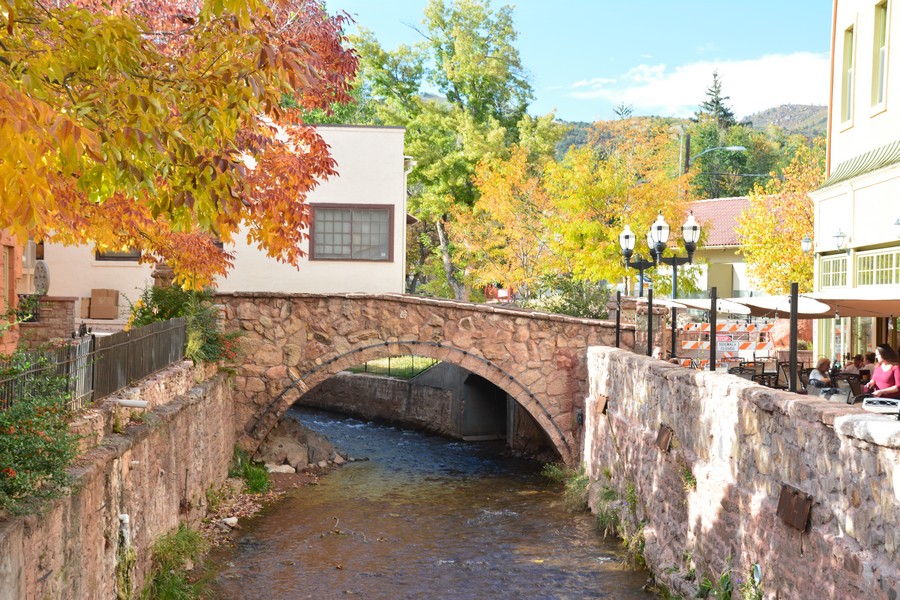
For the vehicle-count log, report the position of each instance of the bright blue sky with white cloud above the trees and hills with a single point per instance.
(587, 56)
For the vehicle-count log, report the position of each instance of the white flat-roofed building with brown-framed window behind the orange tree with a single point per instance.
(357, 235)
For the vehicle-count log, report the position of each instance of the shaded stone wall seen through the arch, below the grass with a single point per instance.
(384, 398)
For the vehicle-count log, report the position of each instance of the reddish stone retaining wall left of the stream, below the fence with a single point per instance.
(156, 472)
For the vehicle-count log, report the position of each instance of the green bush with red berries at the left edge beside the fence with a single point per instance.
(36, 446)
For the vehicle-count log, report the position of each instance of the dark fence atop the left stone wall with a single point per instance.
(94, 366)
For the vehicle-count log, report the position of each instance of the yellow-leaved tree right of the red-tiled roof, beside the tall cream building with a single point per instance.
(779, 217)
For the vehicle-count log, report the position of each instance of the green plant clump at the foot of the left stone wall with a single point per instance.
(171, 553)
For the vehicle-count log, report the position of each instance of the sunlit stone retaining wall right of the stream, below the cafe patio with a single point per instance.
(740, 442)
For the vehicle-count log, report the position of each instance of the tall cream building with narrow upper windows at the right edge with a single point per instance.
(857, 209)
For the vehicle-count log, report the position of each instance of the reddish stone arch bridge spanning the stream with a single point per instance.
(293, 342)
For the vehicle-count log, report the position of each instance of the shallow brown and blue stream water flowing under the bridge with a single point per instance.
(422, 517)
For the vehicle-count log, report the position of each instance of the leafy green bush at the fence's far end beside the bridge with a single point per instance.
(206, 342)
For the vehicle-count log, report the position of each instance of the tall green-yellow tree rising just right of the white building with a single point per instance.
(468, 55)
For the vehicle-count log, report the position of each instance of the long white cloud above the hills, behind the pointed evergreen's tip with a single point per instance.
(752, 85)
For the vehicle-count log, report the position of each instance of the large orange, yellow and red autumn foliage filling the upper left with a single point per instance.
(160, 125)
